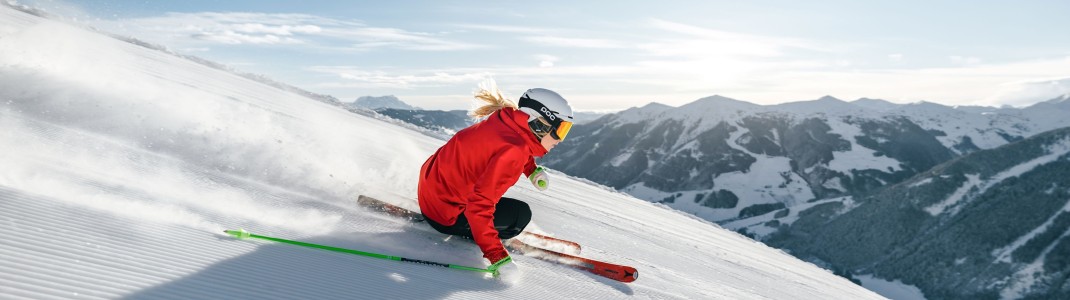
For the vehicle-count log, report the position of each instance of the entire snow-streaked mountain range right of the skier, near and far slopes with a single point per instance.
(965, 203)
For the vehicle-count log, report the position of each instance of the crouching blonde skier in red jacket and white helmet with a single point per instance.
(462, 185)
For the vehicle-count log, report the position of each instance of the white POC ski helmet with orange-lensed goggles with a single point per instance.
(552, 108)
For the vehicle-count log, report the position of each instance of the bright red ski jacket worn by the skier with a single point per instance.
(472, 172)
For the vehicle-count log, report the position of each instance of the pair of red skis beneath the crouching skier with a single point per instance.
(613, 272)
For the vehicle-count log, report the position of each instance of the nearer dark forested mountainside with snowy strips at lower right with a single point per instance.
(993, 224)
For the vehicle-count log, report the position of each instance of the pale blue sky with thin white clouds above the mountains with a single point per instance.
(615, 55)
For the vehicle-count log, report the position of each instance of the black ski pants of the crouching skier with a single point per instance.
(511, 218)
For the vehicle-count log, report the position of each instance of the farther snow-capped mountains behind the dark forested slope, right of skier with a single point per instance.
(724, 159)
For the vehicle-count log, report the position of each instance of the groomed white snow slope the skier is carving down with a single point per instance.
(120, 167)
